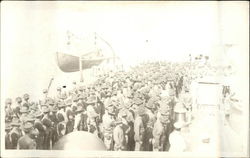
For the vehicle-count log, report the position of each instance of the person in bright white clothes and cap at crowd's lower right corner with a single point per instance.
(176, 140)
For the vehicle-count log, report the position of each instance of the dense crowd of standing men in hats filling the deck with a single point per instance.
(134, 110)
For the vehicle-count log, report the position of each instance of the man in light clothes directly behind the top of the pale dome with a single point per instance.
(81, 116)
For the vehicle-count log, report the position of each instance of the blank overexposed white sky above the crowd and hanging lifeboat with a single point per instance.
(32, 32)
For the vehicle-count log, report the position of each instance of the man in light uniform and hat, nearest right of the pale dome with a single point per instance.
(119, 136)
